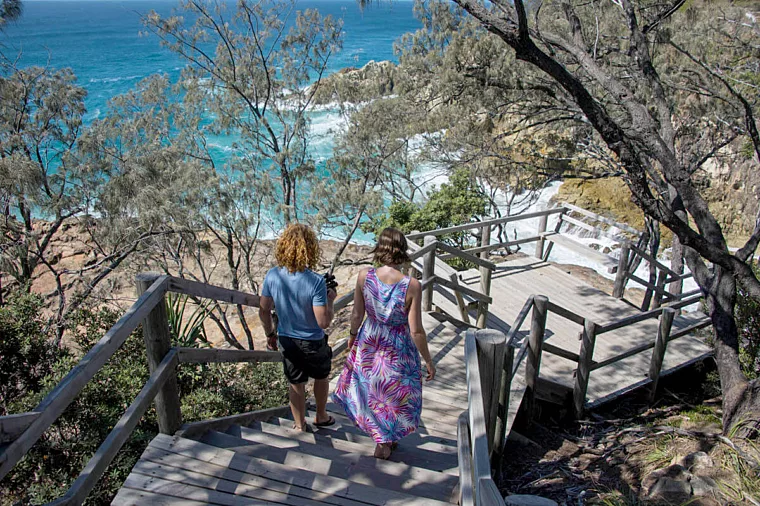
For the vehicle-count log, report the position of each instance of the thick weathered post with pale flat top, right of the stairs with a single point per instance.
(491, 345)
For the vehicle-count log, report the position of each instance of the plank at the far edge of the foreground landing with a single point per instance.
(301, 477)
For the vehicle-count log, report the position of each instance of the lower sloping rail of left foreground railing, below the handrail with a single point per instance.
(106, 452)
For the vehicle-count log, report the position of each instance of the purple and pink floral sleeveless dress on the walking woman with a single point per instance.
(380, 387)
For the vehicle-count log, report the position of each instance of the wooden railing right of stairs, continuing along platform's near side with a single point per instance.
(493, 361)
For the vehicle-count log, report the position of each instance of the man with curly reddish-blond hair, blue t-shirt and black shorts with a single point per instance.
(304, 309)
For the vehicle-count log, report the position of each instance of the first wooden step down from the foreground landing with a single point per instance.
(367, 470)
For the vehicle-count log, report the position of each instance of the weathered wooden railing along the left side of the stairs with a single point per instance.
(21, 431)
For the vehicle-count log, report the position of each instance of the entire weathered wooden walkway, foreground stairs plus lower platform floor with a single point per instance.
(270, 463)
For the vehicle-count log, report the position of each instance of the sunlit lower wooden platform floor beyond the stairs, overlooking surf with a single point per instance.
(521, 276)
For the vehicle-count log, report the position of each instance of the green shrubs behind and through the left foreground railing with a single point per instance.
(207, 390)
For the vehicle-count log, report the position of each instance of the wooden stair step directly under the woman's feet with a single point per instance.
(326, 447)
